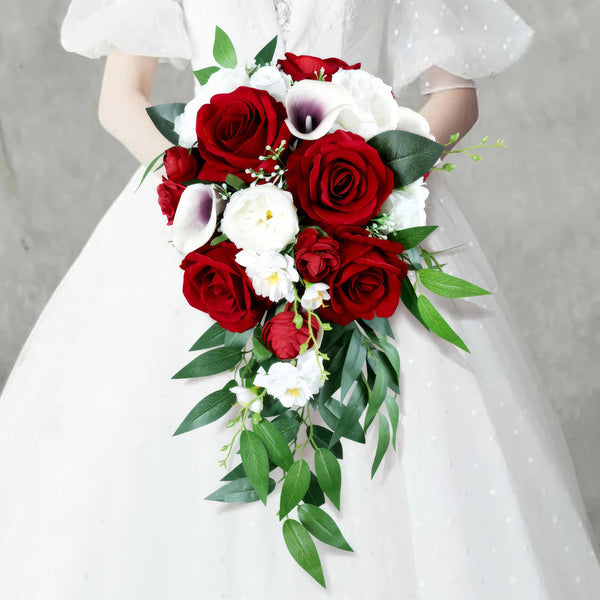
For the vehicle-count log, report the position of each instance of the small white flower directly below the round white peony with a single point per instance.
(272, 274)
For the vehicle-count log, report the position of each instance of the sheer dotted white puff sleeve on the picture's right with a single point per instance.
(467, 39)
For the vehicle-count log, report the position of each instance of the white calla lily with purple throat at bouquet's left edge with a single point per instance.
(196, 217)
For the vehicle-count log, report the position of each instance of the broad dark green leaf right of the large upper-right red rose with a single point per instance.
(407, 154)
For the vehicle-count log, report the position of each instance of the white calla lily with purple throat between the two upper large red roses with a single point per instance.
(314, 106)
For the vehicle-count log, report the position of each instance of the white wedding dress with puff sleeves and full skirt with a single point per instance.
(99, 501)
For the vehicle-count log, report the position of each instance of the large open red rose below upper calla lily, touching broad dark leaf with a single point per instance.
(339, 179)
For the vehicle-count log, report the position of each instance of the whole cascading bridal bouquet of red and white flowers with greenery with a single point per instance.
(296, 193)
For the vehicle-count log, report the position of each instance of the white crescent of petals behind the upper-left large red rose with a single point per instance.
(223, 81)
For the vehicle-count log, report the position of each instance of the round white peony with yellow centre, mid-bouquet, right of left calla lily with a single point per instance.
(261, 218)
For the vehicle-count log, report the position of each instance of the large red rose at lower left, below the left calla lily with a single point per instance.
(214, 283)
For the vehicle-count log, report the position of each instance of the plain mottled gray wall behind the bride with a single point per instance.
(535, 206)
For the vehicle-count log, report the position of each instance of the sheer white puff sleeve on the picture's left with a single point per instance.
(142, 27)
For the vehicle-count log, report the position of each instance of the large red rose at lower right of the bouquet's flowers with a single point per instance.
(369, 278)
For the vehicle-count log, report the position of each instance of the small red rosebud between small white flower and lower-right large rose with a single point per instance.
(316, 256)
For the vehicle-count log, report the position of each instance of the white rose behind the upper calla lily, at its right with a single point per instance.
(378, 111)
